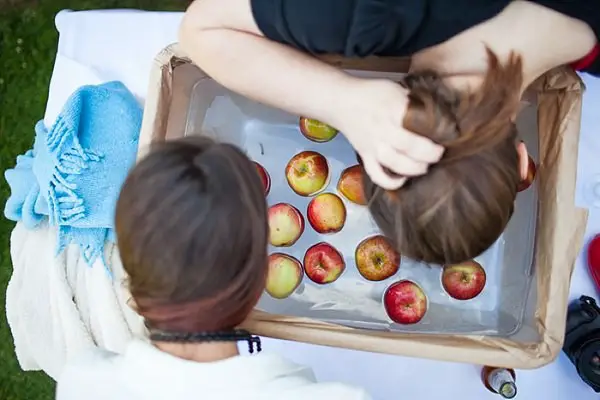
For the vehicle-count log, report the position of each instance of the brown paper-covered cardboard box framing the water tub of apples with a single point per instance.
(560, 224)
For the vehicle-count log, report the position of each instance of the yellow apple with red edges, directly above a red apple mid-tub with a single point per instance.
(326, 213)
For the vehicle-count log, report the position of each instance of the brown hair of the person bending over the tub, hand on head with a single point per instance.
(462, 205)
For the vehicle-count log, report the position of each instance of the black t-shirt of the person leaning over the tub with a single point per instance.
(359, 28)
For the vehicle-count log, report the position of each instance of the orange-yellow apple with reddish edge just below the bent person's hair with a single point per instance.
(376, 259)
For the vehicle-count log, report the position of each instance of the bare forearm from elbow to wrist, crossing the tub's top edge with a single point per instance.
(268, 72)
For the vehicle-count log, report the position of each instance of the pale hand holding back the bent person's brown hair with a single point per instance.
(370, 116)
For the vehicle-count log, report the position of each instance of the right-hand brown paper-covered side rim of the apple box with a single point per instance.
(561, 225)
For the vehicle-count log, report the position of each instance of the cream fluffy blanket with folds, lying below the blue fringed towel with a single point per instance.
(59, 306)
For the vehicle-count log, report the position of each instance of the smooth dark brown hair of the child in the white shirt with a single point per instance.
(192, 234)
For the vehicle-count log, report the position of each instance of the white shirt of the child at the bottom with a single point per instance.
(144, 372)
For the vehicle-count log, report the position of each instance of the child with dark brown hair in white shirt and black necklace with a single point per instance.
(192, 235)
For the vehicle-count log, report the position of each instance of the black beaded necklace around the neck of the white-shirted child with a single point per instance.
(236, 335)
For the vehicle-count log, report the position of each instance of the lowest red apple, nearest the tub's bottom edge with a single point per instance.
(405, 302)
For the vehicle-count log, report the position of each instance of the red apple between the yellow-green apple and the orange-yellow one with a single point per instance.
(323, 263)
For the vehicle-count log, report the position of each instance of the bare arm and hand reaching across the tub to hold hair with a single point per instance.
(222, 38)
